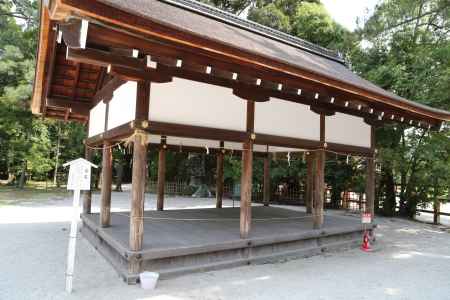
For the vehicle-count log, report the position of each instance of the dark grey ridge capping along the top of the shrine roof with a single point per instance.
(231, 19)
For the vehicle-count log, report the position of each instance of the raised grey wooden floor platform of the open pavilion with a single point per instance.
(189, 240)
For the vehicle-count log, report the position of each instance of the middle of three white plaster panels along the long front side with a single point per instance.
(288, 119)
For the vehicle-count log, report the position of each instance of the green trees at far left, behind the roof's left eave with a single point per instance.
(28, 144)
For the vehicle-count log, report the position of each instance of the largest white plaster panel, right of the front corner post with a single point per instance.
(193, 103)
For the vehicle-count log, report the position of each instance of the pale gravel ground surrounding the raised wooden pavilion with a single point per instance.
(410, 261)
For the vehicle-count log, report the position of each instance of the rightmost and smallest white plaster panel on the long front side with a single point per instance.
(347, 129)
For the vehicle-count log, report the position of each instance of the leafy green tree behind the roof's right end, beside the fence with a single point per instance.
(409, 54)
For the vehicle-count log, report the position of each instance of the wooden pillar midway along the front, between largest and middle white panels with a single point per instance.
(247, 173)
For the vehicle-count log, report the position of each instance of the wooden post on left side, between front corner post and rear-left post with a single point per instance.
(105, 202)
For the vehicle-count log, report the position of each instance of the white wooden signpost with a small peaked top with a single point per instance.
(79, 180)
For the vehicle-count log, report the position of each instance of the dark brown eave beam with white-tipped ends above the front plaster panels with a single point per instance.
(244, 85)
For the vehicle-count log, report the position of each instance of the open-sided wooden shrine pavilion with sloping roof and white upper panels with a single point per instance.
(179, 75)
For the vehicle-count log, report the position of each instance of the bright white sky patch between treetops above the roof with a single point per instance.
(345, 12)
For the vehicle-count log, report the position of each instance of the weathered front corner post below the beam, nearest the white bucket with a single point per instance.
(138, 190)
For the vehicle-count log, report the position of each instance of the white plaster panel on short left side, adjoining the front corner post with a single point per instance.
(122, 107)
